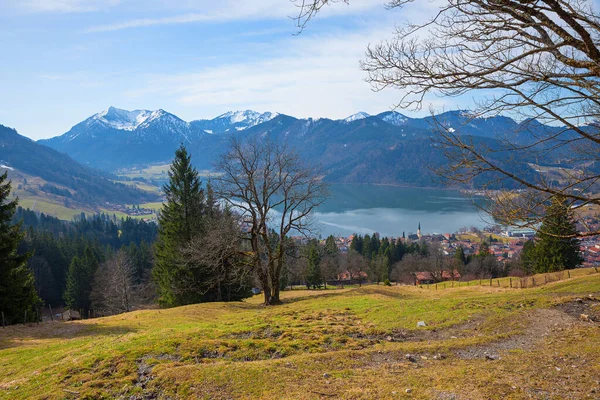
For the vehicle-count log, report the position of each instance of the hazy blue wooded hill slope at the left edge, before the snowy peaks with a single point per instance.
(57, 182)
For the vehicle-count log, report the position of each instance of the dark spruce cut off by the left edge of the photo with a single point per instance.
(18, 297)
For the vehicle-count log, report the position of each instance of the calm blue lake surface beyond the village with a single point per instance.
(391, 210)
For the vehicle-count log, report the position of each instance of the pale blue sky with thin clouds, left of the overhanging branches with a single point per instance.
(65, 60)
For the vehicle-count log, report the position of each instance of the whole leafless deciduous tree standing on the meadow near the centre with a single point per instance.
(274, 191)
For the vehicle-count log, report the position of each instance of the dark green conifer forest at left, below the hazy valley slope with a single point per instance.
(90, 241)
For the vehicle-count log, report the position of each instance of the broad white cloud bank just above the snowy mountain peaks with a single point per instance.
(315, 76)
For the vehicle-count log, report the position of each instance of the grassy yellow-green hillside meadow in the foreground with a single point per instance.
(359, 343)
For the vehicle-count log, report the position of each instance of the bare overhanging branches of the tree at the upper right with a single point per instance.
(531, 60)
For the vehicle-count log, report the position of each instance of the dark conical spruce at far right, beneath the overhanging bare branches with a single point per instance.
(556, 247)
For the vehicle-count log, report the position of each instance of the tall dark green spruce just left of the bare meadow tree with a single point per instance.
(180, 219)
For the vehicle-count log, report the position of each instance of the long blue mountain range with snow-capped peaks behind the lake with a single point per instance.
(387, 148)
